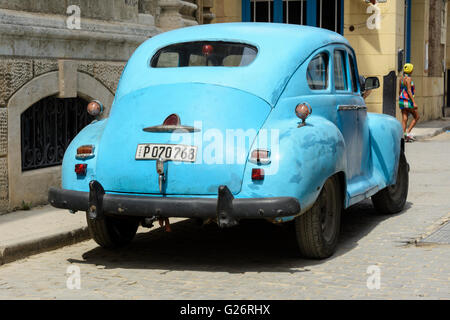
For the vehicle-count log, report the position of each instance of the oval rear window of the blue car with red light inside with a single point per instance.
(204, 54)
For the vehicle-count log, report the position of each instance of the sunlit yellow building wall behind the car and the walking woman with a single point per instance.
(377, 49)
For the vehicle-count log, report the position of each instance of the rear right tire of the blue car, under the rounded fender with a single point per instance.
(317, 230)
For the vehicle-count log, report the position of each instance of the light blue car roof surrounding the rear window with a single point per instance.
(281, 49)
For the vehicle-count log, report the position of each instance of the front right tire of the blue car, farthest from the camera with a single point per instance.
(392, 199)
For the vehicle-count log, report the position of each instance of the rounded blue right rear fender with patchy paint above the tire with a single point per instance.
(301, 162)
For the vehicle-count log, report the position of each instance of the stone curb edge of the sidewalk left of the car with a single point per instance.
(24, 249)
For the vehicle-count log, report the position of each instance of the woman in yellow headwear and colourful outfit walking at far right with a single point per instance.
(406, 101)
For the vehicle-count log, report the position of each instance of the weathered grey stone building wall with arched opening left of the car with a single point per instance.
(41, 56)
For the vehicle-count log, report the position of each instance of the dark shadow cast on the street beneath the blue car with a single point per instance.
(253, 246)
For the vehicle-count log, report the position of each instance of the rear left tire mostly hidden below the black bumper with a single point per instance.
(111, 232)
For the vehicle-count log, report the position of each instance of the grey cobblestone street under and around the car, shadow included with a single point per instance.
(257, 260)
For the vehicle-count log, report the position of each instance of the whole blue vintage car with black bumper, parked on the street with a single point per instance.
(236, 121)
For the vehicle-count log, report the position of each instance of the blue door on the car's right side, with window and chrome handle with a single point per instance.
(351, 110)
